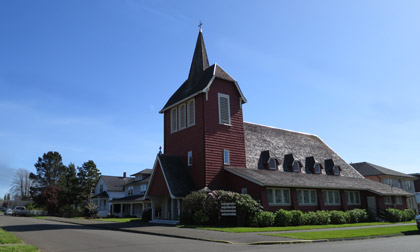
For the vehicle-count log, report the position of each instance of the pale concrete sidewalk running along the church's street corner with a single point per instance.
(200, 234)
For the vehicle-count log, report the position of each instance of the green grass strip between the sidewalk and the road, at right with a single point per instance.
(351, 233)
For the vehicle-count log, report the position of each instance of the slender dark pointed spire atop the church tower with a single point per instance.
(200, 62)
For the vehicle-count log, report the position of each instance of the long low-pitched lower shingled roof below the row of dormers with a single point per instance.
(269, 178)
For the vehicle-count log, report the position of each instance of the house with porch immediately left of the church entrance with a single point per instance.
(133, 203)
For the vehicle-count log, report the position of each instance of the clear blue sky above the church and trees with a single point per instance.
(87, 78)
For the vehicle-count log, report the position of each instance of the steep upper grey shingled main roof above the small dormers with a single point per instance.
(282, 142)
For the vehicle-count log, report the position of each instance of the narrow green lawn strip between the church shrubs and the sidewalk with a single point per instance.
(274, 229)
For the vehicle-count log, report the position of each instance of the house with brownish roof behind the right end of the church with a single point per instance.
(391, 178)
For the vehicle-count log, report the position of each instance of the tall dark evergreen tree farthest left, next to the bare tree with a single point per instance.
(49, 181)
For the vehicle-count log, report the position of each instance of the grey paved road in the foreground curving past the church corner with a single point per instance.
(55, 236)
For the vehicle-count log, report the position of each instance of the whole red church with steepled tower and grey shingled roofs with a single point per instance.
(208, 145)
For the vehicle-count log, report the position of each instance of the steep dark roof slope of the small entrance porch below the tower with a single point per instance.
(177, 175)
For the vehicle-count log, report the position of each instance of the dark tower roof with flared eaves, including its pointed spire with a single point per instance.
(200, 77)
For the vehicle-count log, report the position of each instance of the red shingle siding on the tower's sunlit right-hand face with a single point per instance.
(220, 137)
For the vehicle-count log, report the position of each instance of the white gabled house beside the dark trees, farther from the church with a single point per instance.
(107, 189)
